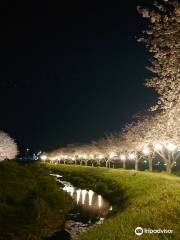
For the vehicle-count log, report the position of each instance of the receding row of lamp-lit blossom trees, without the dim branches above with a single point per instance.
(147, 138)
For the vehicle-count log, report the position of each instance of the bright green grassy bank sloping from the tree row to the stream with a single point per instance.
(149, 200)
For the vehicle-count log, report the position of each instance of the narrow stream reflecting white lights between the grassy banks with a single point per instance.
(90, 208)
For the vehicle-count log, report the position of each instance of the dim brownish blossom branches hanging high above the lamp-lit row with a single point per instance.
(162, 39)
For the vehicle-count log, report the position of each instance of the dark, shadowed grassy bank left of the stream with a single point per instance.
(31, 203)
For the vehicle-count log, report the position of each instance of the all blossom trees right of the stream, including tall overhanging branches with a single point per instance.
(156, 133)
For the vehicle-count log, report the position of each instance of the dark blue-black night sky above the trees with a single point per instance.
(70, 73)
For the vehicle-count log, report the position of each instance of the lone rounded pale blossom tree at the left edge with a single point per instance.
(8, 147)
